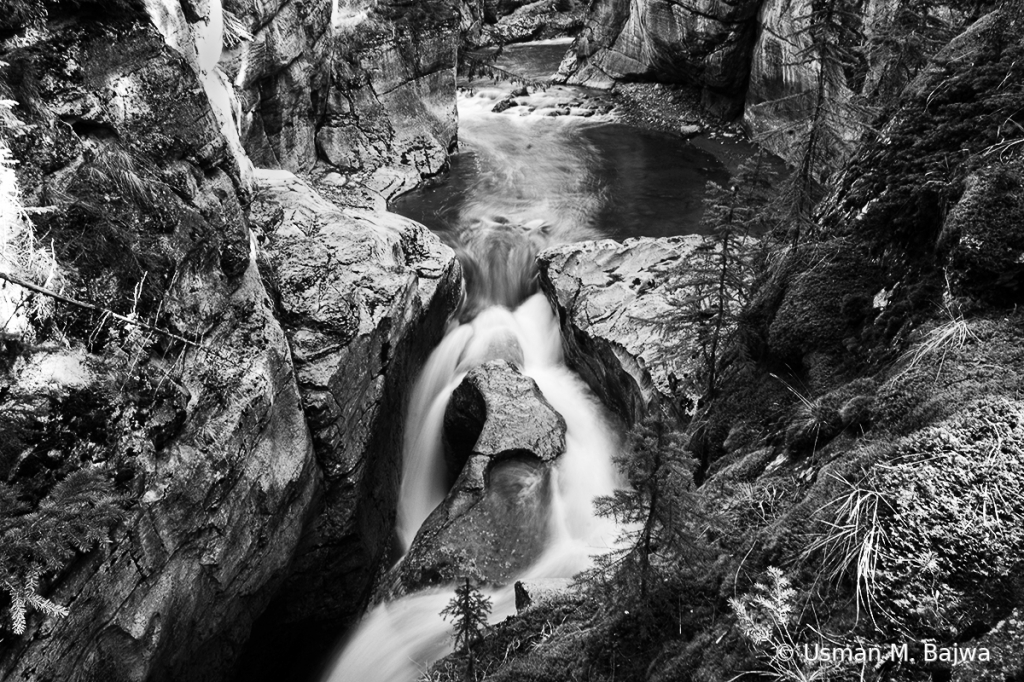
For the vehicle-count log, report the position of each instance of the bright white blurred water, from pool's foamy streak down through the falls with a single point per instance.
(534, 191)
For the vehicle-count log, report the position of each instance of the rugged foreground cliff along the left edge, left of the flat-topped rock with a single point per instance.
(115, 133)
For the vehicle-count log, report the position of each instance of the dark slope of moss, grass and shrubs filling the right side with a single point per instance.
(864, 448)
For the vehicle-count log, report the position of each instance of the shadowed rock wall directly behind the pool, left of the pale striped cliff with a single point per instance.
(705, 42)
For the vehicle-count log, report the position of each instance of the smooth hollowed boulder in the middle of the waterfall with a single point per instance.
(504, 438)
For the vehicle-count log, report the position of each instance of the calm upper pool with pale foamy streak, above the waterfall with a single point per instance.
(583, 178)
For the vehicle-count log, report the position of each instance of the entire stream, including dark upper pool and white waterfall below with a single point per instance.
(524, 181)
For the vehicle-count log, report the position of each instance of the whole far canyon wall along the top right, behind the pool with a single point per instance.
(756, 59)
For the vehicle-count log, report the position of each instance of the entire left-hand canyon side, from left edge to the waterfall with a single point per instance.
(269, 456)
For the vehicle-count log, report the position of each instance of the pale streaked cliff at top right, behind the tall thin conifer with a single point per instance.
(883, 44)
